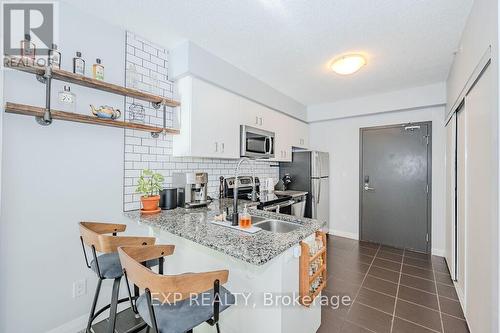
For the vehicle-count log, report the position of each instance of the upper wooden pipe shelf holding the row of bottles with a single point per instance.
(27, 65)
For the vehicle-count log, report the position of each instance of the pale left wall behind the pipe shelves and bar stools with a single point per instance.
(54, 177)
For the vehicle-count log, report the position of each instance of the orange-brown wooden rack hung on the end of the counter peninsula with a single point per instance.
(305, 280)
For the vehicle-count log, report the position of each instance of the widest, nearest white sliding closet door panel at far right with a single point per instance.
(480, 210)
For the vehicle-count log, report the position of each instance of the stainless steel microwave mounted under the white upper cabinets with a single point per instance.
(256, 143)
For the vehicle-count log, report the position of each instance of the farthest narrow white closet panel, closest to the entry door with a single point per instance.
(451, 156)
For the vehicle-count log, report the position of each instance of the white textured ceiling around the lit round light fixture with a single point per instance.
(288, 43)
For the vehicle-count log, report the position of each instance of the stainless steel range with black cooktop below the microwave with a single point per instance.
(266, 201)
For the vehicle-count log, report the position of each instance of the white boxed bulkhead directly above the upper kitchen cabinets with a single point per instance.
(188, 58)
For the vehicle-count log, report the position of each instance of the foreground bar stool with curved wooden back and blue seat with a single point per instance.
(174, 303)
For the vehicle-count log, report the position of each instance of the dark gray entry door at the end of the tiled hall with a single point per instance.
(395, 185)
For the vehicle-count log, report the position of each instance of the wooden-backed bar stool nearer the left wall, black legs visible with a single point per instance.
(102, 238)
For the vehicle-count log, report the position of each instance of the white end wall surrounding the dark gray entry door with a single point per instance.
(341, 139)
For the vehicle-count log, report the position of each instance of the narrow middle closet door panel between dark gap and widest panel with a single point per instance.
(461, 199)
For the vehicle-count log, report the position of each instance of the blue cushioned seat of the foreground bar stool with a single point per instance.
(186, 314)
